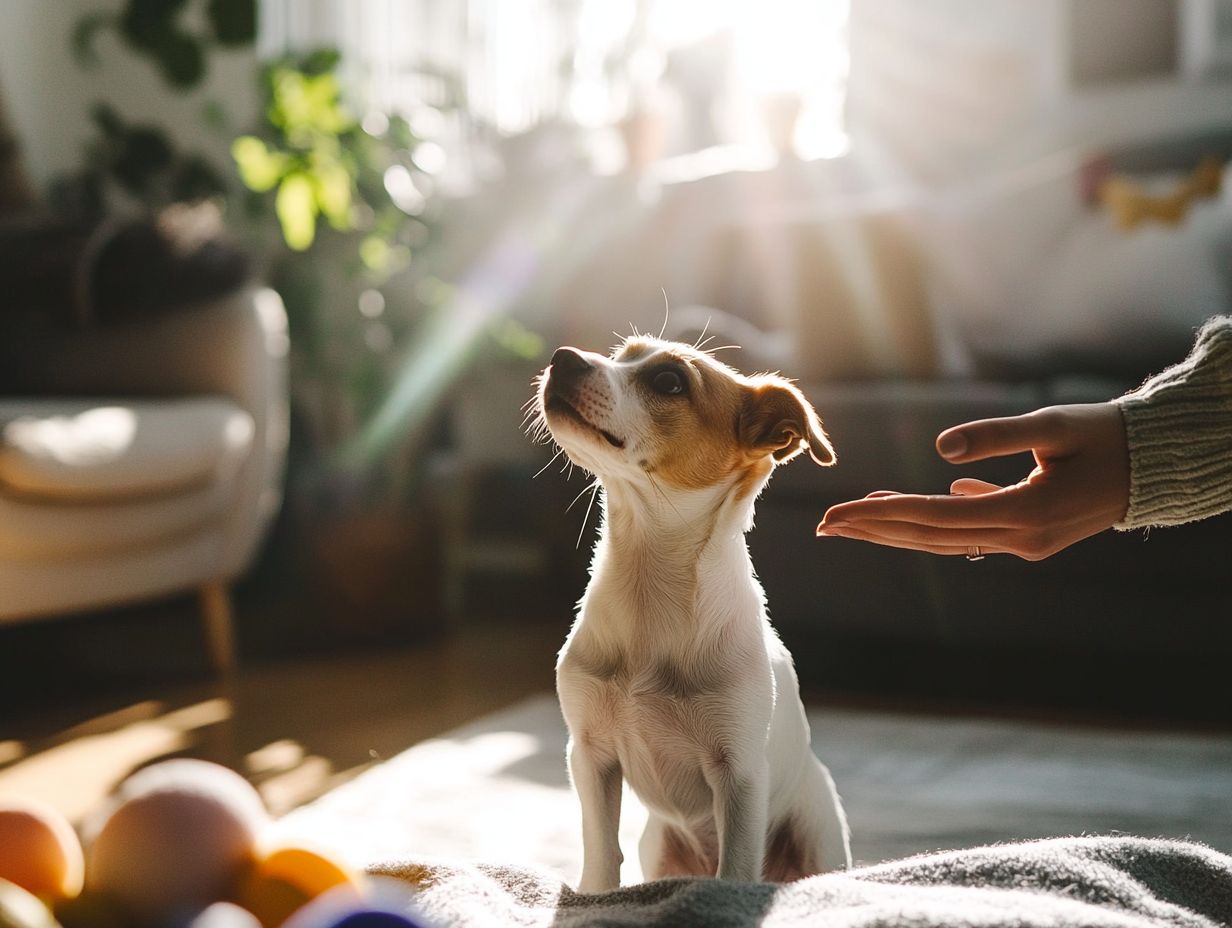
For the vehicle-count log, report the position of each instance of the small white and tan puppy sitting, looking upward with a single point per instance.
(672, 677)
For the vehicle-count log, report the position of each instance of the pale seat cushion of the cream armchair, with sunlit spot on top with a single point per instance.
(91, 450)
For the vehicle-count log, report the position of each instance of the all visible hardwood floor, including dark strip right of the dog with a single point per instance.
(295, 728)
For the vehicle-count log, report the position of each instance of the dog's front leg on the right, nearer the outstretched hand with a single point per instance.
(741, 816)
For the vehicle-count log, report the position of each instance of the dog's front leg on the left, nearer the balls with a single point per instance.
(598, 783)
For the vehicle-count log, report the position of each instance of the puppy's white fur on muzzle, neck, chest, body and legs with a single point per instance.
(672, 676)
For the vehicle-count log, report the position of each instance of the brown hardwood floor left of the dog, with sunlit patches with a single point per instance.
(294, 728)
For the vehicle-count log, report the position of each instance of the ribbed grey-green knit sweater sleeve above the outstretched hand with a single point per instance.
(1180, 432)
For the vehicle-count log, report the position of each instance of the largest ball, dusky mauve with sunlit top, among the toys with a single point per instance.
(177, 837)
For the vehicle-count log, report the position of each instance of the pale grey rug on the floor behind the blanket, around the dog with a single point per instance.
(496, 791)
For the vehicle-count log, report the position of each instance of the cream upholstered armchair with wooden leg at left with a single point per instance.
(142, 460)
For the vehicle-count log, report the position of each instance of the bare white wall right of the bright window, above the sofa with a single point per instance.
(959, 88)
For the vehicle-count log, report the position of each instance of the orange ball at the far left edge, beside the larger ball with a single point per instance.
(39, 850)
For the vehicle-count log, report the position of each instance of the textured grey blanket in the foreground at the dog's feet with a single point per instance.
(1064, 882)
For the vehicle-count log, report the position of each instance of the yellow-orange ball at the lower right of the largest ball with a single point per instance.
(286, 878)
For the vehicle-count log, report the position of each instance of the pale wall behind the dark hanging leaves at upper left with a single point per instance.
(49, 96)
